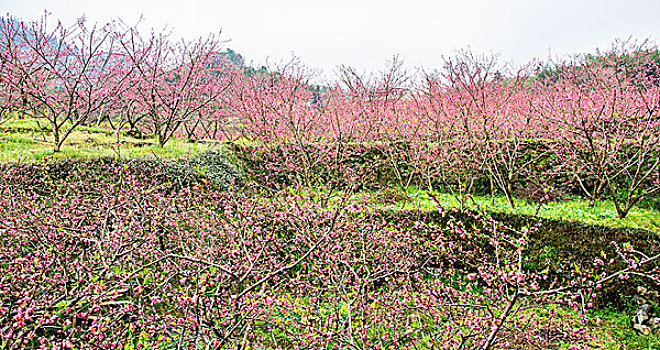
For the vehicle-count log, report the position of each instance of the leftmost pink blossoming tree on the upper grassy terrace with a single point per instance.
(63, 75)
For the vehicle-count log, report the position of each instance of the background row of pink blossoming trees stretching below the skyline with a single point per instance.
(591, 121)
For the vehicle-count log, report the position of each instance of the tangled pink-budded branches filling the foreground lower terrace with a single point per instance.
(131, 260)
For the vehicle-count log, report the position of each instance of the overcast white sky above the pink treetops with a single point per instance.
(367, 33)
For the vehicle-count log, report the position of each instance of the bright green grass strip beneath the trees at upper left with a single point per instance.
(23, 140)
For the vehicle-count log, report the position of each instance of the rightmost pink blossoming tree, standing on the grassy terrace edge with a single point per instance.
(605, 112)
